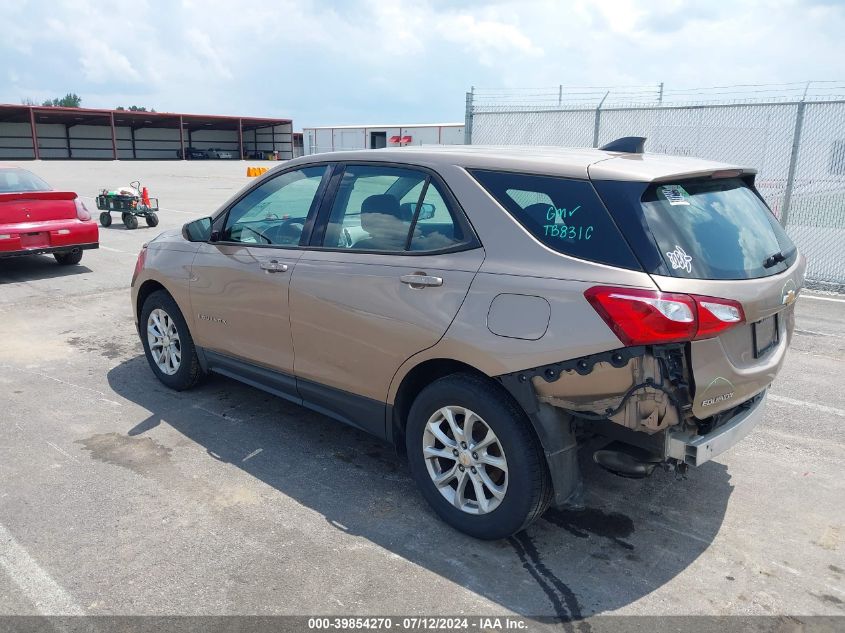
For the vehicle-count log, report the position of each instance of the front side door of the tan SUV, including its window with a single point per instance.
(239, 286)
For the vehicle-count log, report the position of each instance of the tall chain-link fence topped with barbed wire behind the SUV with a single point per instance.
(794, 134)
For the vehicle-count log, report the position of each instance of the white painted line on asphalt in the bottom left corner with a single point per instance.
(46, 595)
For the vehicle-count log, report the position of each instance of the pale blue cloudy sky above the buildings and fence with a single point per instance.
(335, 63)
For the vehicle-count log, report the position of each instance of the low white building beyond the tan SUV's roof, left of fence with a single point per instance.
(346, 137)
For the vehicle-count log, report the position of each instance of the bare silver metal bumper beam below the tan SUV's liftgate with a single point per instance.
(693, 449)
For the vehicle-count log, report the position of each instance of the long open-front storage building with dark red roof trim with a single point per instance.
(40, 132)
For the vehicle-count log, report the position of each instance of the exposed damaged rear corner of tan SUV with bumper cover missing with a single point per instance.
(638, 400)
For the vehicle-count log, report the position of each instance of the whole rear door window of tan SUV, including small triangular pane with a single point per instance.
(390, 209)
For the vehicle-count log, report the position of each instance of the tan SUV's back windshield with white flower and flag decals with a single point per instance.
(716, 229)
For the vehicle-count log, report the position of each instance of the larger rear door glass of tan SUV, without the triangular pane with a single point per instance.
(372, 210)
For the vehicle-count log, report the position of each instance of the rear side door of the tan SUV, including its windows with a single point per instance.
(390, 265)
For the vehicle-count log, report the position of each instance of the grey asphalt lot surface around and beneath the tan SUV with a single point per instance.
(118, 496)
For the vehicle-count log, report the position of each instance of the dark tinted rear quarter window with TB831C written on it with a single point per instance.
(565, 215)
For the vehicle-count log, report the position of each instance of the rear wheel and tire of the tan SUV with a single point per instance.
(524, 485)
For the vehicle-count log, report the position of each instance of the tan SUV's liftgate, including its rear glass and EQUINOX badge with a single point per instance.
(715, 237)
